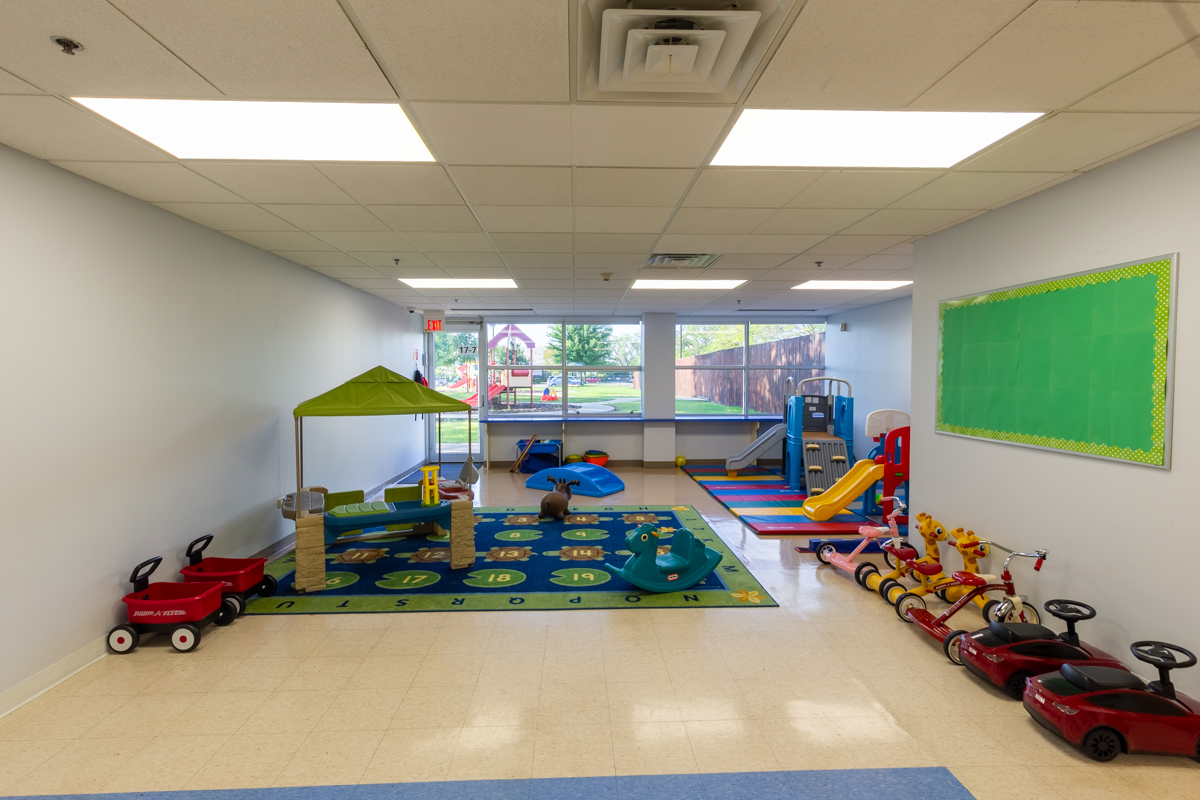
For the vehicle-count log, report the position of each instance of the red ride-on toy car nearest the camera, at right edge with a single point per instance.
(1108, 712)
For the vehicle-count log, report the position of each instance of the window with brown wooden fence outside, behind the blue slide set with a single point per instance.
(743, 369)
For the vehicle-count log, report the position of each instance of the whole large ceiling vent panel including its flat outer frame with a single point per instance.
(653, 51)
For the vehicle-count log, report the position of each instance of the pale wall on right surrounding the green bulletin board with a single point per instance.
(1121, 538)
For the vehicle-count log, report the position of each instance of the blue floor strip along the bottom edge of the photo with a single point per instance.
(908, 784)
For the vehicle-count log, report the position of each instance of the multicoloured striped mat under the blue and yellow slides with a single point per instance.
(763, 501)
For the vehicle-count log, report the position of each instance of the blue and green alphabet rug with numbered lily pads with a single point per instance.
(521, 564)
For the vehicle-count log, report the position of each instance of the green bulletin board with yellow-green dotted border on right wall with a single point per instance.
(1078, 364)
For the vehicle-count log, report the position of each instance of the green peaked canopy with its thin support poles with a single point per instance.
(376, 393)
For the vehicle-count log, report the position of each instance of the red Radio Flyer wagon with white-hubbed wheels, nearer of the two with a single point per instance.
(178, 609)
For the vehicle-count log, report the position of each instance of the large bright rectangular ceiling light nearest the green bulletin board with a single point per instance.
(767, 137)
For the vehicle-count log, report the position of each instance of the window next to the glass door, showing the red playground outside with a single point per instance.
(557, 370)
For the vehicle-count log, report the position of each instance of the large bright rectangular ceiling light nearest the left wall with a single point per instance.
(267, 131)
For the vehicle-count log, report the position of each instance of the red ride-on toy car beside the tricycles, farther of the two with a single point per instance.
(1007, 654)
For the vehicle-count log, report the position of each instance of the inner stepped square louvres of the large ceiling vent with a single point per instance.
(673, 50)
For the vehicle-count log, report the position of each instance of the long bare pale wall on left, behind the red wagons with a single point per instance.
(151, 368)
